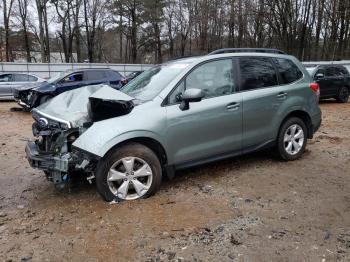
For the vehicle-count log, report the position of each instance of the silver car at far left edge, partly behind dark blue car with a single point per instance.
(9, 81)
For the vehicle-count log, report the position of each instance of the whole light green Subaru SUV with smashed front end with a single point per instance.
(176, 115)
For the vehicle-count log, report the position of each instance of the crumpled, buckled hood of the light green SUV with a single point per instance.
(73, 106)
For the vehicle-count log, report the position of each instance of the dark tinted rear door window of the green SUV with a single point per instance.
(257, 72)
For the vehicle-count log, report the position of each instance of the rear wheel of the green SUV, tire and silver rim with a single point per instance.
(291, 147)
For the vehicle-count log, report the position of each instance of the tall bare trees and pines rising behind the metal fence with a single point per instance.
(153, 31)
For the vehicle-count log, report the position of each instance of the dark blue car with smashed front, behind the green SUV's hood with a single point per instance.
(30, 96)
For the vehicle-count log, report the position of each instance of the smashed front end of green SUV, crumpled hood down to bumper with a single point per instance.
(58, 123)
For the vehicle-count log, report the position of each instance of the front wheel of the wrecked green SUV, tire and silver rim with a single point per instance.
(127, 164)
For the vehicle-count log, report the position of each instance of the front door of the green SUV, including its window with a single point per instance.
(212, 127)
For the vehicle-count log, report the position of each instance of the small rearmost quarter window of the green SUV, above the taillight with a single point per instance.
(288, 71)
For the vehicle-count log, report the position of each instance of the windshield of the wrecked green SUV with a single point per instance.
(148, 84)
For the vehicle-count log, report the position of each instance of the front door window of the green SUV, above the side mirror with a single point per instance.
(215, 78)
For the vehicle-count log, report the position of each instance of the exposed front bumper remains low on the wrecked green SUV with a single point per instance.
(46, 162)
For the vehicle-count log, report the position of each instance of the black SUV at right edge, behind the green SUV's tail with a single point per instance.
(334, 82)
